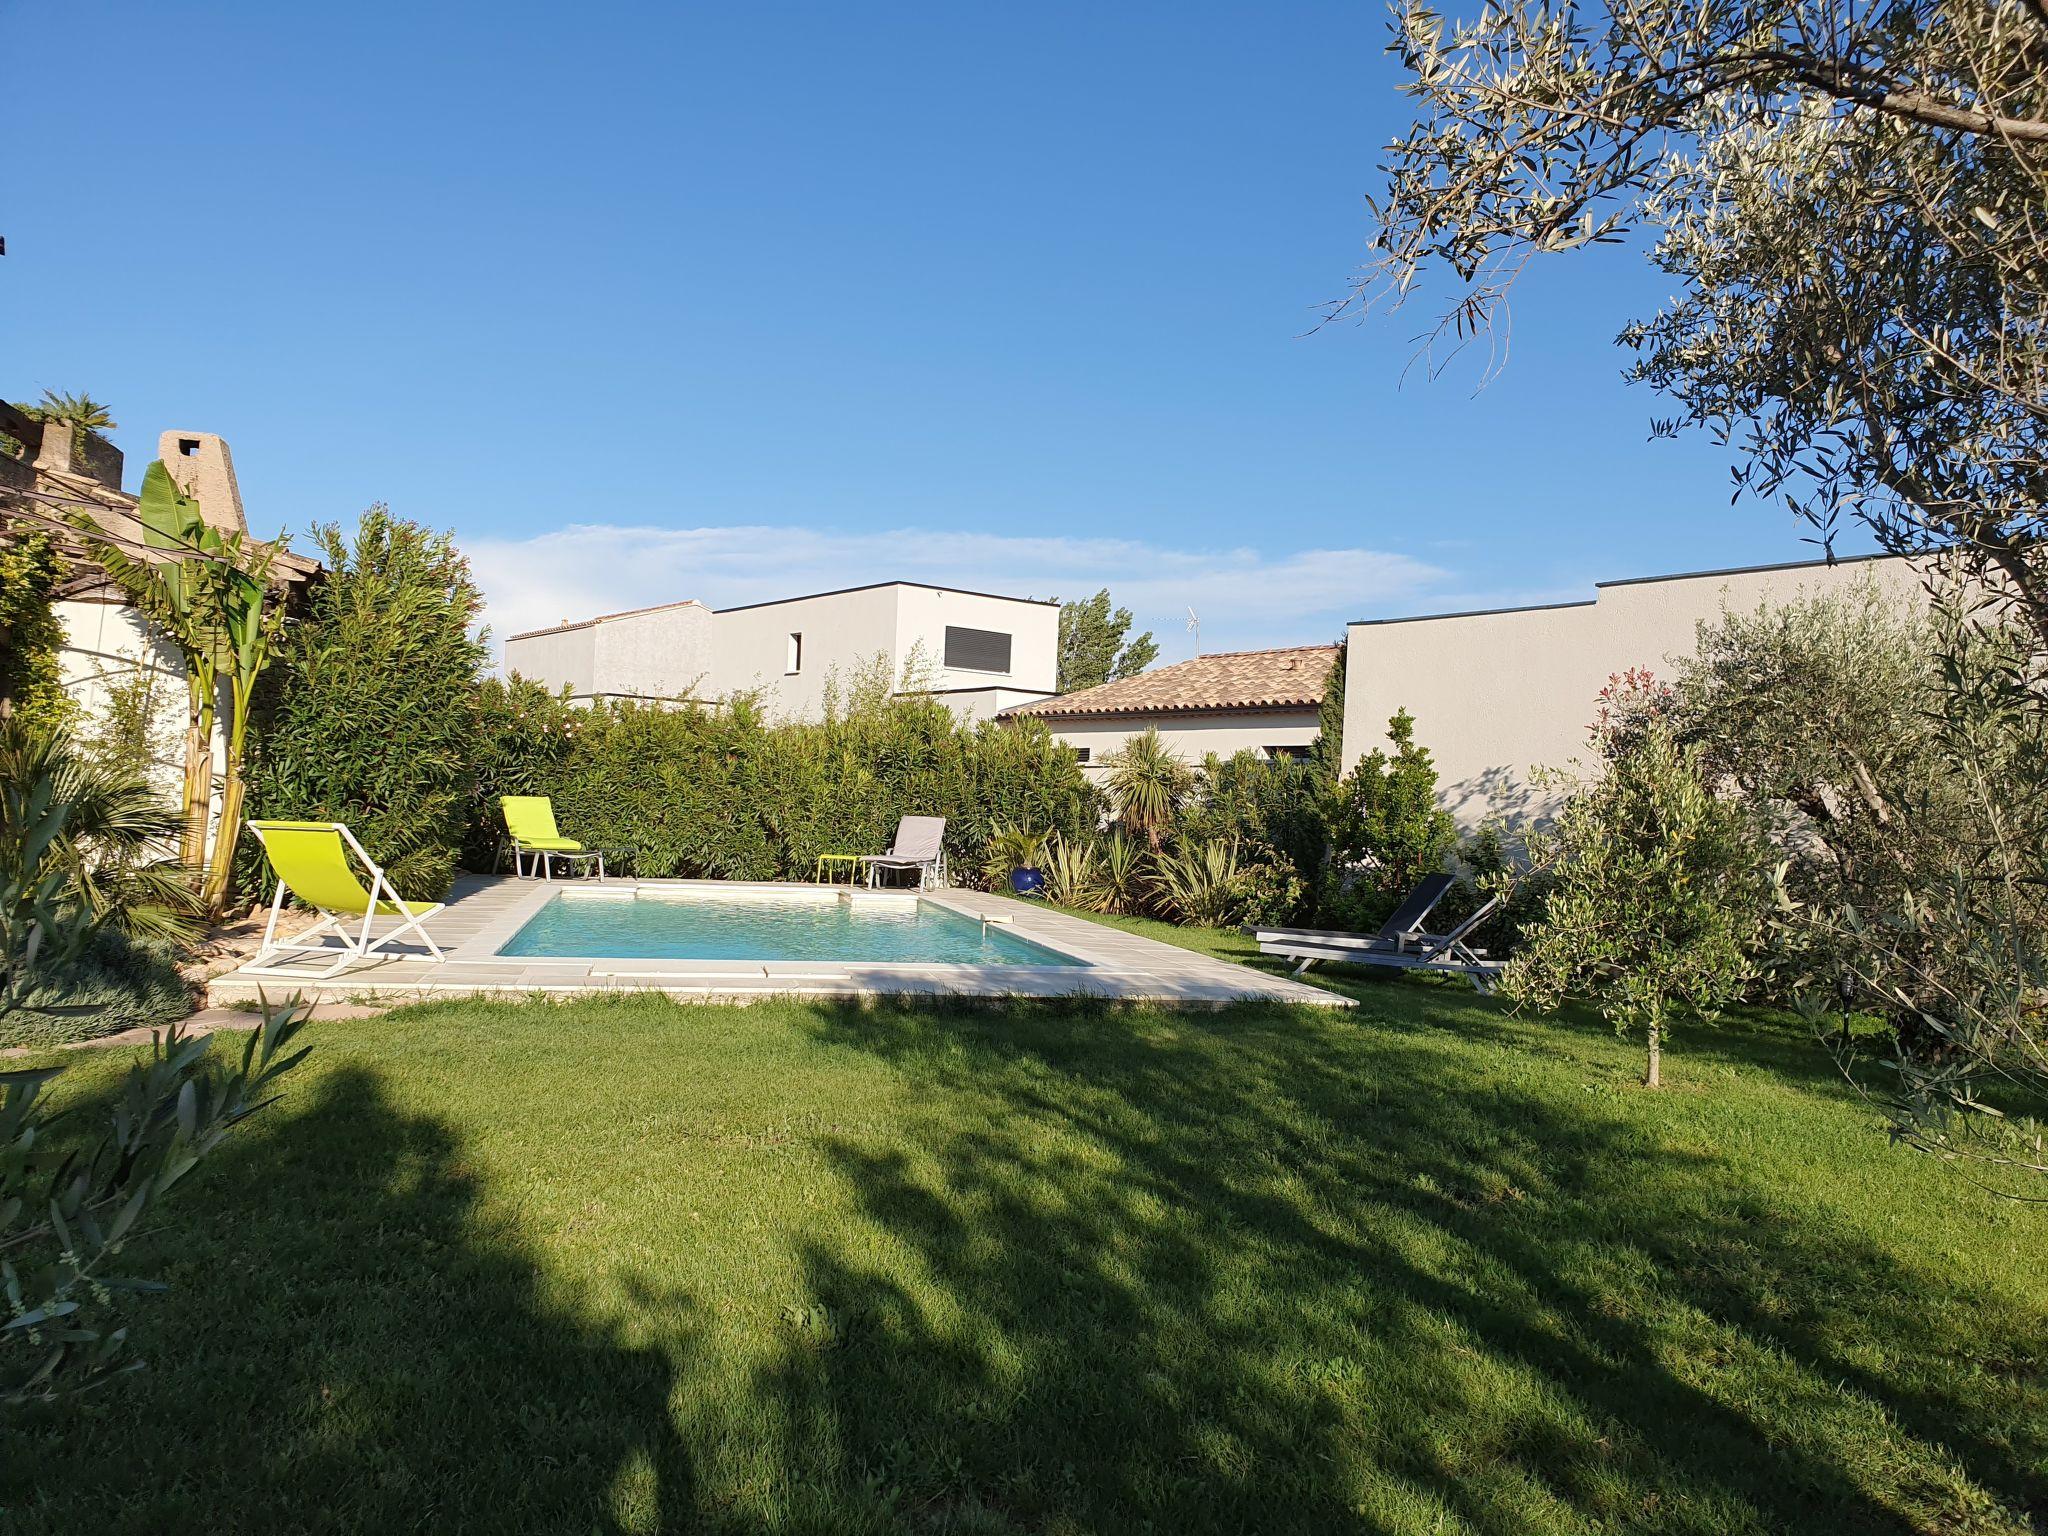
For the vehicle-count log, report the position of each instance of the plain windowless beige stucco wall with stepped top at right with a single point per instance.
(1496, 695)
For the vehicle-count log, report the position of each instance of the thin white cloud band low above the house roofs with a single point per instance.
(1244, 597)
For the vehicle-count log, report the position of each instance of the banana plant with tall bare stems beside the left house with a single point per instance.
(210, 591)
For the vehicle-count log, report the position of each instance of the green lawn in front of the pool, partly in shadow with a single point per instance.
(1060, 1269)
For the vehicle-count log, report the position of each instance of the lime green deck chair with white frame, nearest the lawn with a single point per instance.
(310, 859)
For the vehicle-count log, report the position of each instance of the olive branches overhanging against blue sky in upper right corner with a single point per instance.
(1852, 204)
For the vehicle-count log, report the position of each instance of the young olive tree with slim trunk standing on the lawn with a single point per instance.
(1658, 898)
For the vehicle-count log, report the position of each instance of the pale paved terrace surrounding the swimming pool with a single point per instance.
(486, 912)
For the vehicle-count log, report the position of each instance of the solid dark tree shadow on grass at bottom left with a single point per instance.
(353, 1342)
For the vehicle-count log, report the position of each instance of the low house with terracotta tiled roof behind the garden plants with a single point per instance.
(1224, 703)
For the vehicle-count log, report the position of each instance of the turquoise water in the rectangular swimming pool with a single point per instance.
(767, 929)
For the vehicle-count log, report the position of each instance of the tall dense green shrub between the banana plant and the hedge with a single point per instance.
(374, 718)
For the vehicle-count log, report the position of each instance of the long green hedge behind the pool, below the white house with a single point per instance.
(722, 794)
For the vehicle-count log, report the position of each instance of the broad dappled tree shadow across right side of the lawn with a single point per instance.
(1236, 1275)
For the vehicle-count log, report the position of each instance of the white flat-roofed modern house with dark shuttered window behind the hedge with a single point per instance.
(974, 650)
